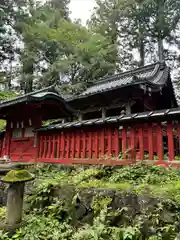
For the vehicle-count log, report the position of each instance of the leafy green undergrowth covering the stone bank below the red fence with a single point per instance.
(128, 203)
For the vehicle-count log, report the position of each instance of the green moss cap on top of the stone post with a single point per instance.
(17, 176)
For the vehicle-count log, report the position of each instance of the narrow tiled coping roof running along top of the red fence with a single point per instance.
(115, 119)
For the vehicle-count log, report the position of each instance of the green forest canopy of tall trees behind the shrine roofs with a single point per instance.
(41, 45)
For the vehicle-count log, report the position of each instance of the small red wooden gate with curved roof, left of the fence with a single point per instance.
(26, 113)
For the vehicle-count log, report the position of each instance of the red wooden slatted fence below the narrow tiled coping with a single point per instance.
(111, 144)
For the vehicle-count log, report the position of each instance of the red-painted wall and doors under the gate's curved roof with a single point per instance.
(21, 148)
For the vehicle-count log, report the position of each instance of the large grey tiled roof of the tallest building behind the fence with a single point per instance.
(154, 75)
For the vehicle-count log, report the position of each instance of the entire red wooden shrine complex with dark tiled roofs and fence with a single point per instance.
(121, 119)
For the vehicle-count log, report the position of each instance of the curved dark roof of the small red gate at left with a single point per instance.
(40, 95)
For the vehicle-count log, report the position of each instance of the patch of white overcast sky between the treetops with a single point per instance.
(81, 9)
